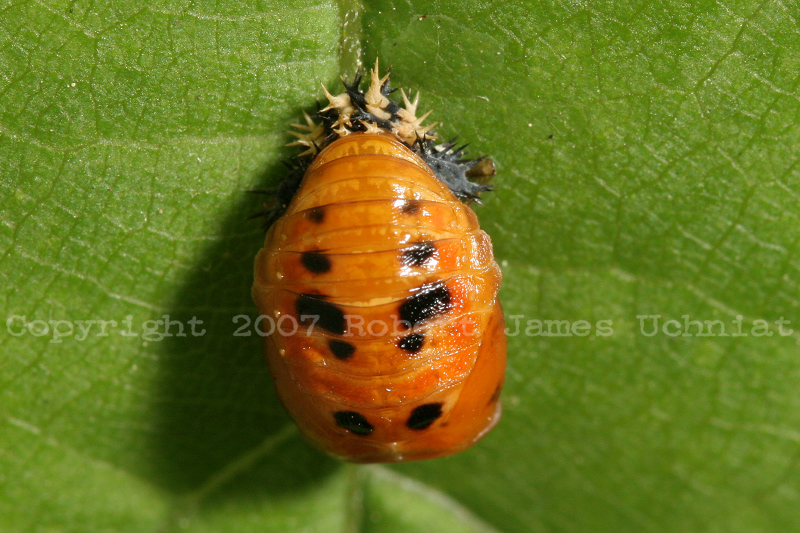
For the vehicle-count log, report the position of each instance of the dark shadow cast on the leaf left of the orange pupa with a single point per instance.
(215, 402)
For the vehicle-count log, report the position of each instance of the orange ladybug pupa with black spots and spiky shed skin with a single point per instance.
(392, 345)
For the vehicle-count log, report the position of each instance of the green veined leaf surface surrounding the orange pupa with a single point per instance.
(647, 167)
